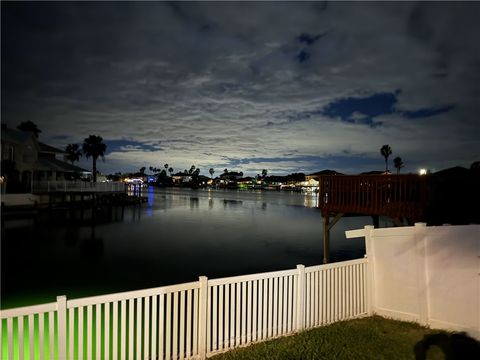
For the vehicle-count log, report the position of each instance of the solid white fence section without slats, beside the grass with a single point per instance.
(426, 274)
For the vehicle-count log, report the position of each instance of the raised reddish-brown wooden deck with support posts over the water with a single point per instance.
(447, 197)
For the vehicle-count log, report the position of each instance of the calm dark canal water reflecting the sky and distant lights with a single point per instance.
(177, 236)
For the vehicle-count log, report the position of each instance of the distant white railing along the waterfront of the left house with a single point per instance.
(78, 186)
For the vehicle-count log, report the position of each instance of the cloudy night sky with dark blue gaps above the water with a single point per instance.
(287, 87)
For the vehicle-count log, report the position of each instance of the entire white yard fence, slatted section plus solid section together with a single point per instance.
(413, 273)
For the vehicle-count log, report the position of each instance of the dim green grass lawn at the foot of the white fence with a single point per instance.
(368, 338)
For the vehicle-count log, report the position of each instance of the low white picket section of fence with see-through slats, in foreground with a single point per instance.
(187, 321)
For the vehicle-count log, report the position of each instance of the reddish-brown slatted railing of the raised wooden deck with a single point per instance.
(388, 195)
